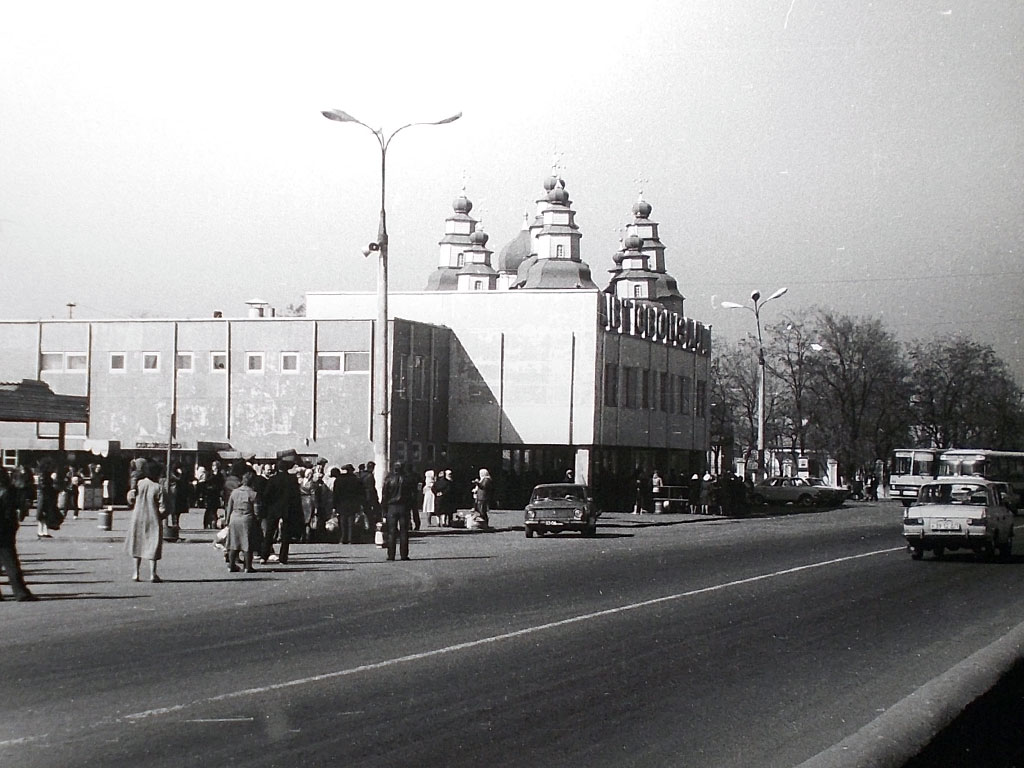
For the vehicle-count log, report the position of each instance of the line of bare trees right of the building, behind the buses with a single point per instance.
(845, 388)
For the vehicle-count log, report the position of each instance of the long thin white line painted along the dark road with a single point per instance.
(496, 638)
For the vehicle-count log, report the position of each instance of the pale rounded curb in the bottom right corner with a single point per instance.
(905, 730)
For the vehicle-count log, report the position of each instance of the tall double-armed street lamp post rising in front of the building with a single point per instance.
(382, 387)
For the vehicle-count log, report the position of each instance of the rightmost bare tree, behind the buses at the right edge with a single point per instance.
(965, 397)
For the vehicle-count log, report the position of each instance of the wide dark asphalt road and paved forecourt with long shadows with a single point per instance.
(666, 641)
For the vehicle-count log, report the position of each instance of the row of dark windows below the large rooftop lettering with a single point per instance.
(653, 391)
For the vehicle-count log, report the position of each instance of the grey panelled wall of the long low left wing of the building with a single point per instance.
(263, 411)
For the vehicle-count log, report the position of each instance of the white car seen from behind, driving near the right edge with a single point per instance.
(959, 514)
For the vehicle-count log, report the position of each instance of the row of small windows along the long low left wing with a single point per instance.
(255, 363)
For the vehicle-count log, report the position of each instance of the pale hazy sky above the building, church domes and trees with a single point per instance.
(170, 160)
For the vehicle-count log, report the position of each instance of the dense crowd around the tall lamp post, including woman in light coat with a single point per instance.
(259, 508)
